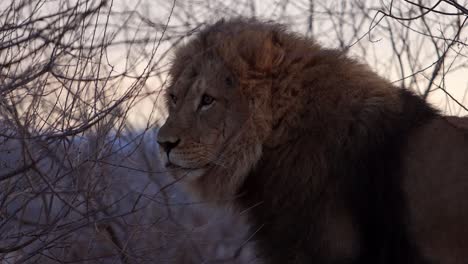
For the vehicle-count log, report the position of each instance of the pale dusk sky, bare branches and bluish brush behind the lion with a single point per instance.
(80, 105)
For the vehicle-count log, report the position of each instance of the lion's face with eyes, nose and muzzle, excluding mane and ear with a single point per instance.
(206, 113)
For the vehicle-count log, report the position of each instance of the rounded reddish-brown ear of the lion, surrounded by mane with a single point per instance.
(263, 51)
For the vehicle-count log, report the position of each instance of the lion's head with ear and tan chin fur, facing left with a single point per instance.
(220, 111)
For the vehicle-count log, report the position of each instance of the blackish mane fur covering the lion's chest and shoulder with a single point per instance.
(364, 173)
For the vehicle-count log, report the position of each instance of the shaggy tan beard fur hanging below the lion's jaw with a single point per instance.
(220, 183)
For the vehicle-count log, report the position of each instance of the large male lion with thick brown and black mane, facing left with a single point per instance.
(330, 161)
